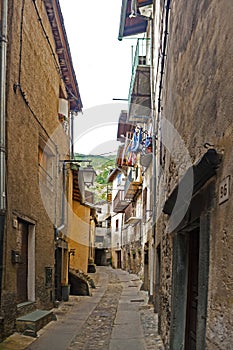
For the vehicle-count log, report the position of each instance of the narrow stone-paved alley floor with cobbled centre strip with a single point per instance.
(116, 317)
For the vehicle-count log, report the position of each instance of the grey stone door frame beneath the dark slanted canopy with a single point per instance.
(180, 279)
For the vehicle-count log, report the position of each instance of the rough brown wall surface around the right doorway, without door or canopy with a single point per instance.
(197, 100)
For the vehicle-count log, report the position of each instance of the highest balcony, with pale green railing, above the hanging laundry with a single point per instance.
(140, 91)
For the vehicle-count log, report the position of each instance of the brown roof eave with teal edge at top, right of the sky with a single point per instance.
(134, 25)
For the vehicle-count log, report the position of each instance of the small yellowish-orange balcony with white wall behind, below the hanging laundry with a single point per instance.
(133, 183)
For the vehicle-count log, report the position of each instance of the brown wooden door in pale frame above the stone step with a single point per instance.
(22, 266)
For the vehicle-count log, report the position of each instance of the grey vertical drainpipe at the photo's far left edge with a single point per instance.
(3, 53)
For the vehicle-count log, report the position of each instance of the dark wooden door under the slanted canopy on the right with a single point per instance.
(192, 291)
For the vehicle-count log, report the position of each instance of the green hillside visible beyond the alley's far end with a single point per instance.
(103, 166)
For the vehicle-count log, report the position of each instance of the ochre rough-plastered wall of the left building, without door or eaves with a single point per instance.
(31, 66)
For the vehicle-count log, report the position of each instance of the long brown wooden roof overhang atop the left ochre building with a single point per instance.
(63, 52)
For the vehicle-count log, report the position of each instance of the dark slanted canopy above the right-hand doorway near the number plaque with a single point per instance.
(202, 171)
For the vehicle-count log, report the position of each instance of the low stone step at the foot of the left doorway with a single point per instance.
(30, 323)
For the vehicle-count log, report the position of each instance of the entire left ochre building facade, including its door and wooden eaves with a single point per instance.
(38, 77)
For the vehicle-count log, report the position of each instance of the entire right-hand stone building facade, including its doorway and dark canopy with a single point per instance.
(193, 231)
